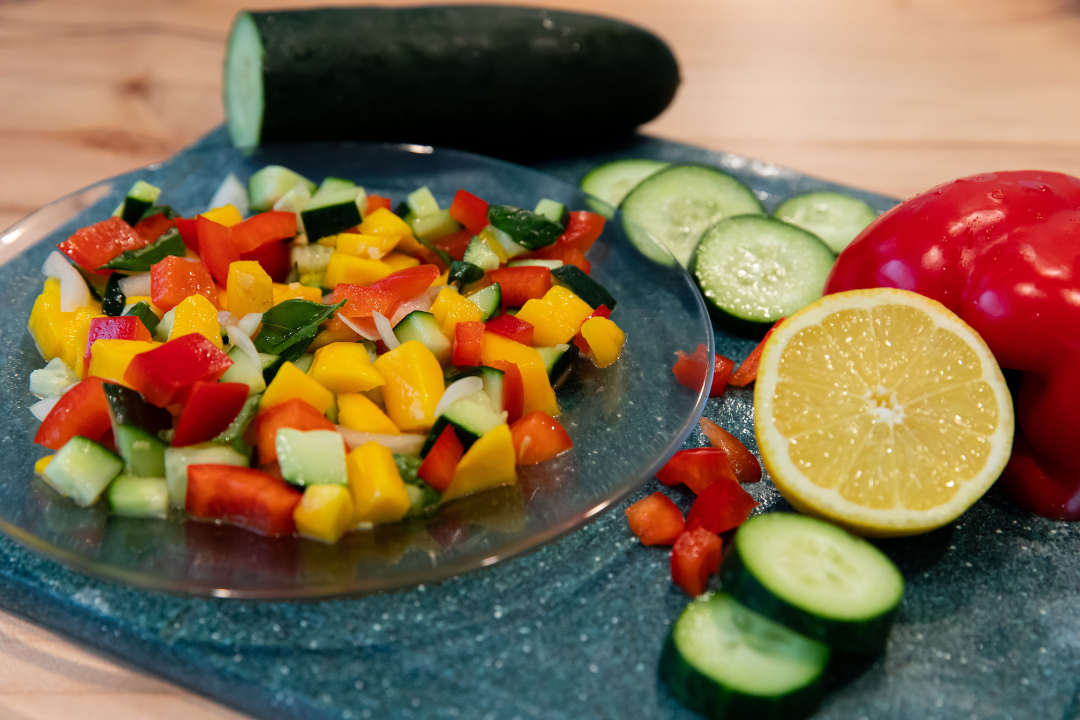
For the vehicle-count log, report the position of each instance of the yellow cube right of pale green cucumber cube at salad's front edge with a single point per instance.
(379, 492)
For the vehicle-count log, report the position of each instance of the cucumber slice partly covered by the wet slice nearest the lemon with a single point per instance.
(678, 205)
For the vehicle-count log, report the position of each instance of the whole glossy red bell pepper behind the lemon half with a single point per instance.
(1002, 251)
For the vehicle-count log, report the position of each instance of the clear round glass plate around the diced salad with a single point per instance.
(626, 420)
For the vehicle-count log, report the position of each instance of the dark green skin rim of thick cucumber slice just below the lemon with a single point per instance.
(855, 639)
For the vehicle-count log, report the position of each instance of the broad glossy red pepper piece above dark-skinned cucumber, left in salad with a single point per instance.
(164, 375)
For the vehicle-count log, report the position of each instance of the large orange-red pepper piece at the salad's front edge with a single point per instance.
(244, 497)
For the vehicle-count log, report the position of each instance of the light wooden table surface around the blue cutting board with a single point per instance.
(894, 97)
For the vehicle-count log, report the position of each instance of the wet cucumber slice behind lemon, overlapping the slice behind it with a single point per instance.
(754, 270)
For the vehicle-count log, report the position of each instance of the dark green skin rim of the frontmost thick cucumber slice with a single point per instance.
(706, 697)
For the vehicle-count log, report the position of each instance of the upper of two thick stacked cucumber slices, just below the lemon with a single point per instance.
(816, 579)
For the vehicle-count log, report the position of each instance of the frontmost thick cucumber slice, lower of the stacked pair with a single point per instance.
(725, 661)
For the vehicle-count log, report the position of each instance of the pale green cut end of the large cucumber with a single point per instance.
(245, 102)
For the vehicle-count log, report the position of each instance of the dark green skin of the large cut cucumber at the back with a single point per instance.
(542, 76)
